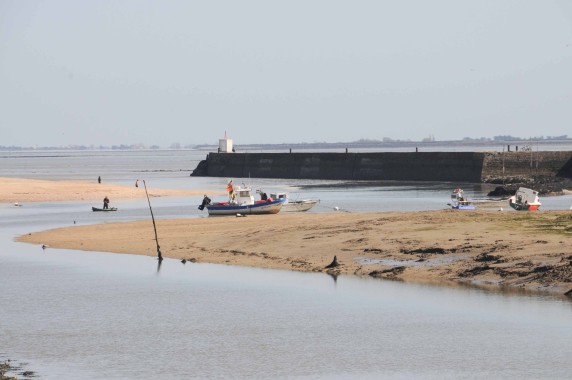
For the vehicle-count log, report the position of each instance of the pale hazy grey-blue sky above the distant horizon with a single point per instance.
(164, 71)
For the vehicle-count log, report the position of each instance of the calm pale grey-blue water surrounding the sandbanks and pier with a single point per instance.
(88, 315)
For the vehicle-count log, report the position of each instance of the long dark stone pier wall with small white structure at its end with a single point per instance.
(409, 166)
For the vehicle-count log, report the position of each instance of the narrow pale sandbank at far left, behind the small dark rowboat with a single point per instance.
(19, 190)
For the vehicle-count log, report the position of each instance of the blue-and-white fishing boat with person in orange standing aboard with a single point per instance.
(241, 202)
